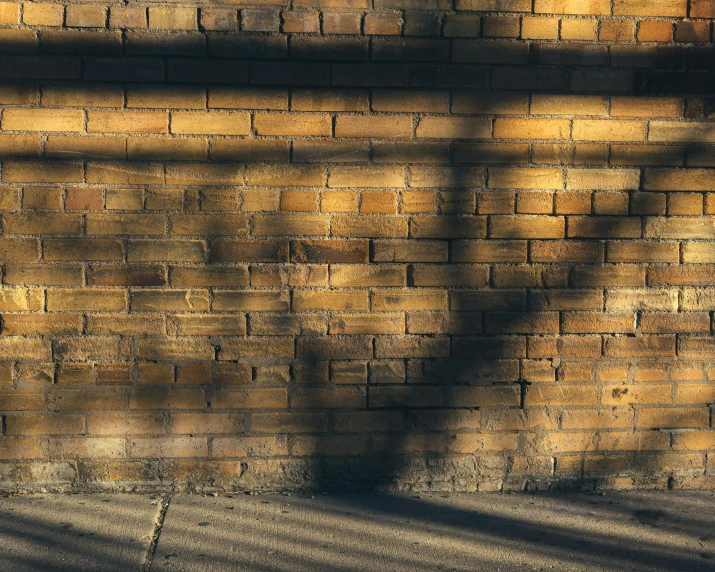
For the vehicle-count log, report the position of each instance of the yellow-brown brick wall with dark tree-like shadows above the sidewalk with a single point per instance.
(447, 244)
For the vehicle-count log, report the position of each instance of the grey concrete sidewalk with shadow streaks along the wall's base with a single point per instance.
(613, 532)
